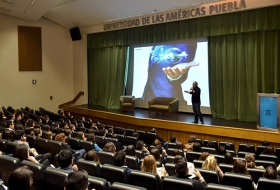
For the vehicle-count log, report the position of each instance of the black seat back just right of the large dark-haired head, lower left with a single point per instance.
(93, 168)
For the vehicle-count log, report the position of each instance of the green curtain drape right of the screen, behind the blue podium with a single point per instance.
(242, 65)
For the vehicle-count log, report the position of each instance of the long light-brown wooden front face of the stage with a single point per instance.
(182, 130)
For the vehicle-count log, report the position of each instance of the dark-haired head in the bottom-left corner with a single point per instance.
(21, 179)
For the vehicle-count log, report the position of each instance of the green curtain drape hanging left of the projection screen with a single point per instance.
(106, 71)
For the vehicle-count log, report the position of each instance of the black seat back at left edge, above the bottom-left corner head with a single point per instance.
(7, 165)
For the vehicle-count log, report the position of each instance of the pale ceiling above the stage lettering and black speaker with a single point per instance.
(71, 13)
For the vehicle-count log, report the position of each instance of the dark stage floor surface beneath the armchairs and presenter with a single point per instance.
(183, 117)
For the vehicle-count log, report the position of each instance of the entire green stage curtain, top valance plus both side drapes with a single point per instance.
(243, 47)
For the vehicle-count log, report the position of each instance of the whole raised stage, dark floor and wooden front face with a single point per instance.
(166, 125)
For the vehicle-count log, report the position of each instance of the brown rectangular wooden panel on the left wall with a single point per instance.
(29, 48)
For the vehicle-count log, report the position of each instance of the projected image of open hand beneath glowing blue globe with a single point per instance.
(167, 70)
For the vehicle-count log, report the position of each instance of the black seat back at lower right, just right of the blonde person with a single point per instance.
(239, 180)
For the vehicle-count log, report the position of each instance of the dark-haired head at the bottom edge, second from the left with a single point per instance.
(77, 180)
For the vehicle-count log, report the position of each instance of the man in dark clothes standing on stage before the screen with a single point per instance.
(195, 92)
